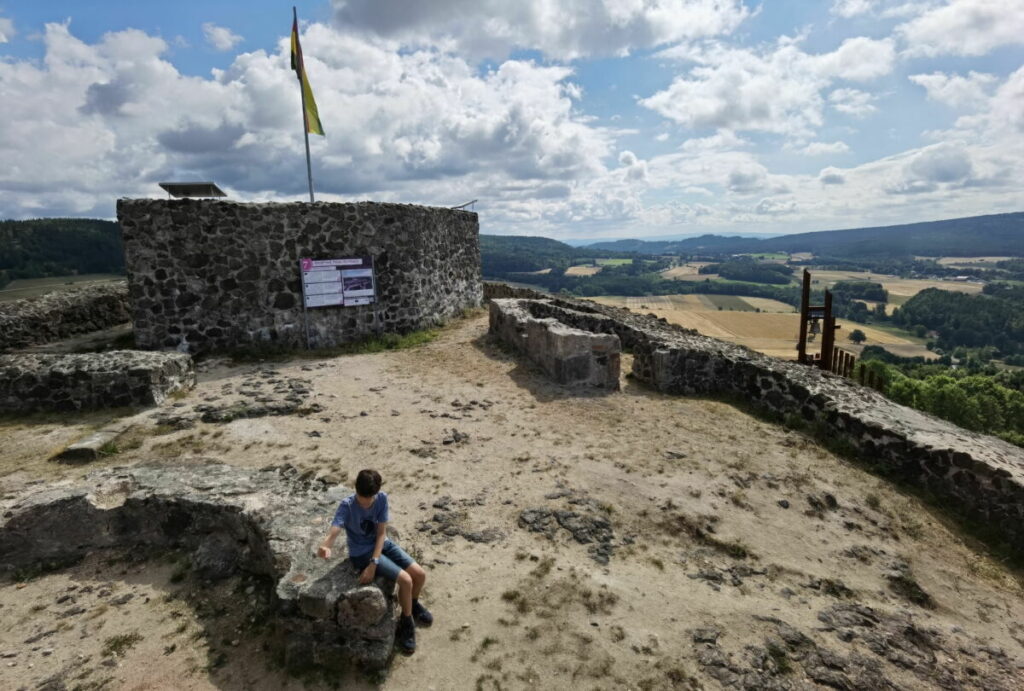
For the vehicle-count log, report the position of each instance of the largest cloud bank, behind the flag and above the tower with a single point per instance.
(118, 117)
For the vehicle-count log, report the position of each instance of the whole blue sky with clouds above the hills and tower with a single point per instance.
(580, 119)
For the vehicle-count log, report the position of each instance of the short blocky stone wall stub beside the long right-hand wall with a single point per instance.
(569, 356)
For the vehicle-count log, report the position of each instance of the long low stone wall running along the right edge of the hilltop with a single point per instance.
(982, 476)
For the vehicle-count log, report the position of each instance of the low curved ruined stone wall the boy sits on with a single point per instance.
(262, 523)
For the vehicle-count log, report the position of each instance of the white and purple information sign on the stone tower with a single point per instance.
(331, 283)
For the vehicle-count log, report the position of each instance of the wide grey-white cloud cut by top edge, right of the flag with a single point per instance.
(563, 30)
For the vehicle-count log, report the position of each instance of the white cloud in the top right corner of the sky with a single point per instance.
(965, 28)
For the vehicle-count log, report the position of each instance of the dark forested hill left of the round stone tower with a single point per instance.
(54, 247)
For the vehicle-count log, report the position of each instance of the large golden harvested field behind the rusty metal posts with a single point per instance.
(771, 333)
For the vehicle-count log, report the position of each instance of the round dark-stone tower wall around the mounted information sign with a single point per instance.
(214, 276)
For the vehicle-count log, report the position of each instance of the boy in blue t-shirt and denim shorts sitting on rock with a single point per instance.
(364, 516)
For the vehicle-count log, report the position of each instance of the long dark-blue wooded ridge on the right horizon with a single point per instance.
(972, 237)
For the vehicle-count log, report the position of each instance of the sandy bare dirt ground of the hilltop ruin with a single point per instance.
(736, 549)
